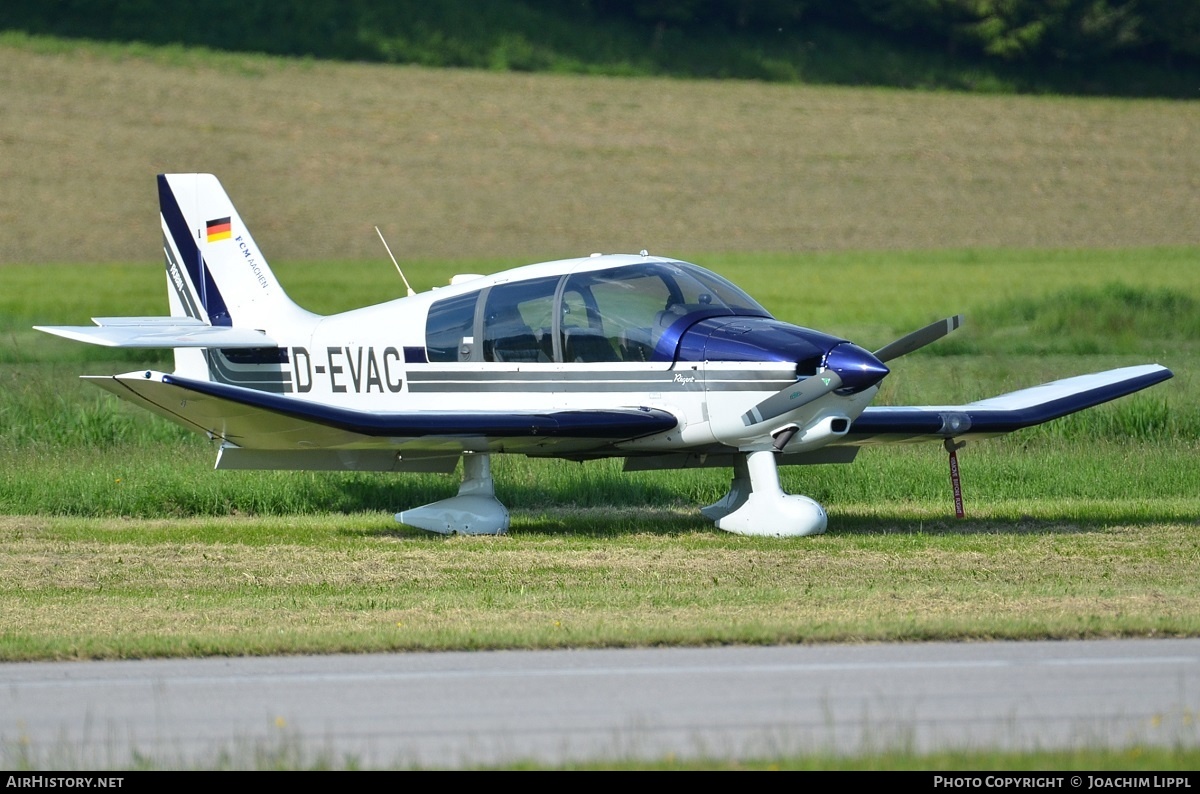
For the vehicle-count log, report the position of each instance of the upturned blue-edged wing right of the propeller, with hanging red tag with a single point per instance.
(1004, 414)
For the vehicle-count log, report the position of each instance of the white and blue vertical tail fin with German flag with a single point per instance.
(215, 270)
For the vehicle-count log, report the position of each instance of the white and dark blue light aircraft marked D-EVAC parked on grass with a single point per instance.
(655, 360)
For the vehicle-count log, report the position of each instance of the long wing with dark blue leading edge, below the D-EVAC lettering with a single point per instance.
(275, 431)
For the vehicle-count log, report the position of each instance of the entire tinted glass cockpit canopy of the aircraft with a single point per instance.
(627, 314)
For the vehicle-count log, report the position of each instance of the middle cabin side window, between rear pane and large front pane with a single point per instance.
(519, 322)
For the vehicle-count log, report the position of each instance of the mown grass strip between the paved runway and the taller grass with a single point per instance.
(607, 578)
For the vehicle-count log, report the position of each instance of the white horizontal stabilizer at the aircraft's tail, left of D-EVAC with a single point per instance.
(160, 333)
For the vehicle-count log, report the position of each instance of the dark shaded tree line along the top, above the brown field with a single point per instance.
(451, 32)
